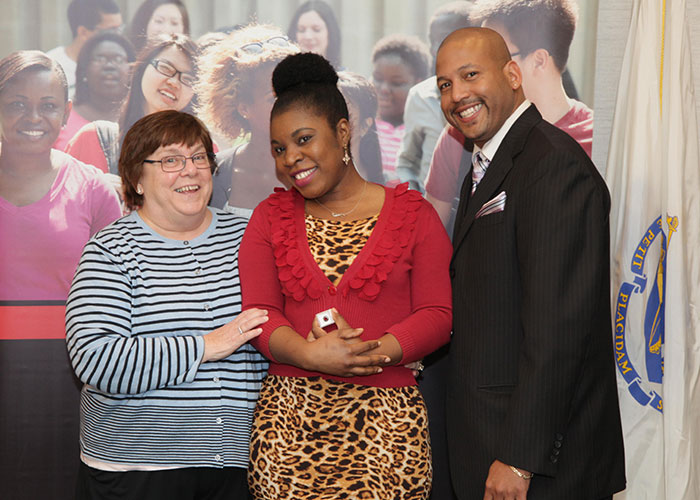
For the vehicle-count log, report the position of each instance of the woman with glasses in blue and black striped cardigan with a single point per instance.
(154, 330)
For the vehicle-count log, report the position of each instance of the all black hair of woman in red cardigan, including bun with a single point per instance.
(308, 80)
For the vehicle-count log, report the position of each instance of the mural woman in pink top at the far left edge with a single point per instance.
(50, 204)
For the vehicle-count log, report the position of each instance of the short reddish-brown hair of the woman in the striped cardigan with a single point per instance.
(147, 135)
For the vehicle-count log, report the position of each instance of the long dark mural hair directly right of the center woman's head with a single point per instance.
(359, 91)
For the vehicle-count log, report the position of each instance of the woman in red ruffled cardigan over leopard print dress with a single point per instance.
(339, 415)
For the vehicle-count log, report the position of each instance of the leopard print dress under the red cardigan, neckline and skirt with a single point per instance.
(315, 438)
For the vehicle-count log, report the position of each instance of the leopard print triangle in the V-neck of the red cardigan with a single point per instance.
(335, 244)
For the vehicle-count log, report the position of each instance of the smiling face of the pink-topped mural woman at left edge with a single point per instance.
(32, 111)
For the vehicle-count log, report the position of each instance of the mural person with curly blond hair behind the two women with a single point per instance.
(236, 98)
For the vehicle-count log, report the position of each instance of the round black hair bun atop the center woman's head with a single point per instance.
(300, 69)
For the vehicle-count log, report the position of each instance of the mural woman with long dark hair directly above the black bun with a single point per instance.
(315, 29)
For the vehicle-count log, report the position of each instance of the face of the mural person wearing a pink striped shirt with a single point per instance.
(392, 78)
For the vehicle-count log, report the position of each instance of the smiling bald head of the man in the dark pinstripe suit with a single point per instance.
(479, 85)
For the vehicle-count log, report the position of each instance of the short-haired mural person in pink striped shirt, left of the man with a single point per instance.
(399, 62)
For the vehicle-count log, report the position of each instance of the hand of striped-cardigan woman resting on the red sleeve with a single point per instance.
(223, 341)
